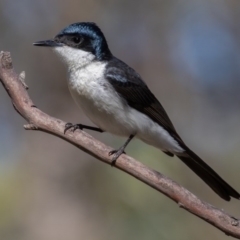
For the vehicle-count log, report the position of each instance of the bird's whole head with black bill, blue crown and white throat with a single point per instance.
(79, 42)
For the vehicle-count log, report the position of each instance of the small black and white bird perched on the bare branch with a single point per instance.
(117, 100)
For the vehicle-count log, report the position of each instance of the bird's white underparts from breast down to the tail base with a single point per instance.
(108, 111)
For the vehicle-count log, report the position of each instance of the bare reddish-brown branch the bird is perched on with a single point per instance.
(38, 120)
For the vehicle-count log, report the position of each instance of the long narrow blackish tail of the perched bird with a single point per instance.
(209, 176)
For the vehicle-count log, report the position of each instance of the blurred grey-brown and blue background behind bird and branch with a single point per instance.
(188, 52)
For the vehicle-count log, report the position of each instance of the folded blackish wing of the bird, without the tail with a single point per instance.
(132, 88)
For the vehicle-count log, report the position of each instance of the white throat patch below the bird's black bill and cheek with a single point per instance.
(74, 58)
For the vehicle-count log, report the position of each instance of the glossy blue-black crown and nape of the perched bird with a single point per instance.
(93, 38)
